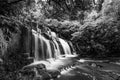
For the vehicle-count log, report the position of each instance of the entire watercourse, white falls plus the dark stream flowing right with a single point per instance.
(58, 55)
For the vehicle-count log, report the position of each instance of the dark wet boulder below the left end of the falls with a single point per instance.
(37, 72)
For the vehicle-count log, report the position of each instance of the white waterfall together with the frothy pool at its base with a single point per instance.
(51, 51)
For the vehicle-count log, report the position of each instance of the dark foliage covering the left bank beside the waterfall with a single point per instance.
(10, 47)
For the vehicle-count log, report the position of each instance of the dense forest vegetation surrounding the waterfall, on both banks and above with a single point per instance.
(93, 27)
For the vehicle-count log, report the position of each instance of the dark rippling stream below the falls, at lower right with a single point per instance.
(92, 70)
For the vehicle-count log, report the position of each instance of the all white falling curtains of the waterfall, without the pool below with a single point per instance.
(49, 46)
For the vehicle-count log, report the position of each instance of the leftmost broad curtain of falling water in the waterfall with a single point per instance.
(42, 46)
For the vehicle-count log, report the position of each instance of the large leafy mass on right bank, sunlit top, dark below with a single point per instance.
(100, 36)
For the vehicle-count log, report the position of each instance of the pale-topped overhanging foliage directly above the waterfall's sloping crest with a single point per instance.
(64, 28)
